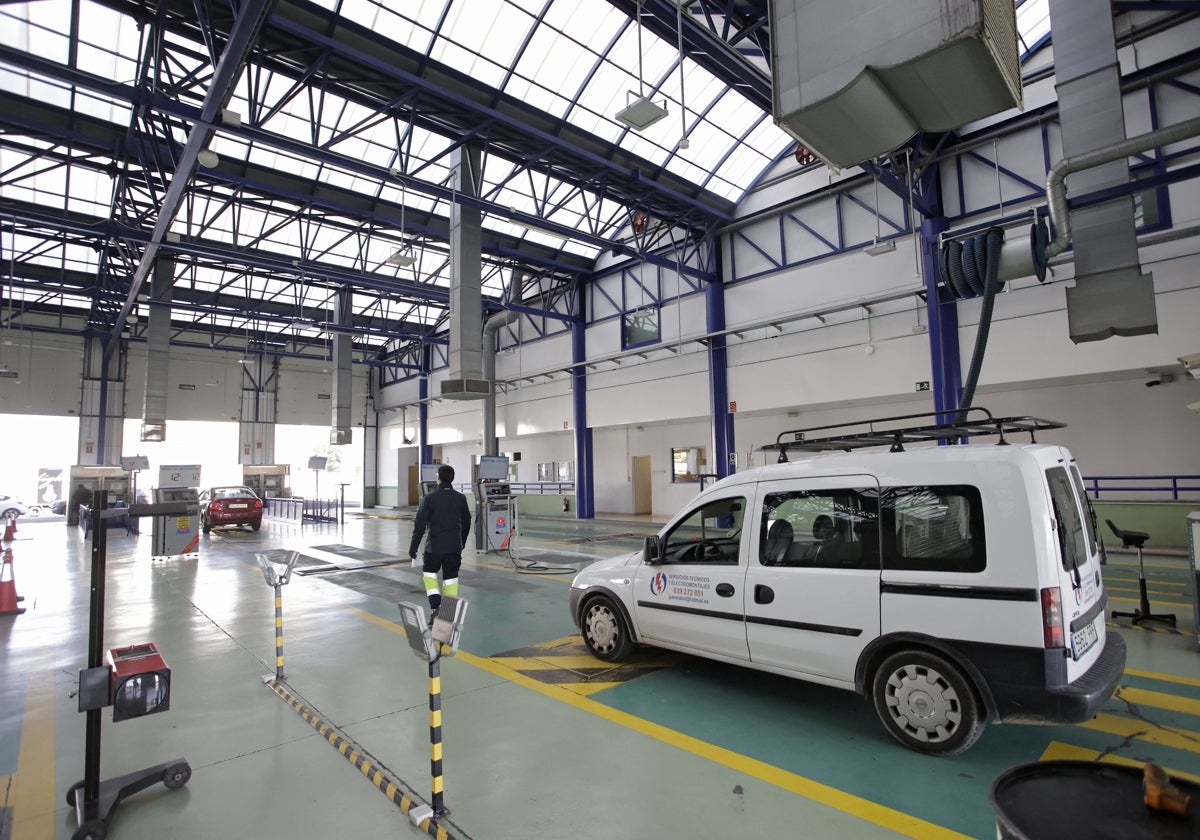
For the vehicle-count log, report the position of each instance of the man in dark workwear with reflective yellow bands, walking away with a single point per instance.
(446, 514)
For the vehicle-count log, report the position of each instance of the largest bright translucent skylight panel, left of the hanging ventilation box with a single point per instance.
(584, 63)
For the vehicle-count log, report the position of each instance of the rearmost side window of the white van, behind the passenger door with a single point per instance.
(934, 529)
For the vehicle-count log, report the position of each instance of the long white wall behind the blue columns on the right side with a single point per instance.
(799, 338)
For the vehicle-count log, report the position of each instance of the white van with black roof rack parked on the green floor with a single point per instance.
(951, 585)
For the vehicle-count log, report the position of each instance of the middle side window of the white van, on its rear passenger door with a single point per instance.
(824, 530)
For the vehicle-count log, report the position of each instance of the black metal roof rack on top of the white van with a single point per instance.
(950, 424)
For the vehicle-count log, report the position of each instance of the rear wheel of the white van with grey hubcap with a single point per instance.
(927, 704)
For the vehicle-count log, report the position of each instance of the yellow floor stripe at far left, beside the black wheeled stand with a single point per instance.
(32, 796)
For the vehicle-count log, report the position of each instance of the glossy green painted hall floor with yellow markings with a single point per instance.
(539, 739)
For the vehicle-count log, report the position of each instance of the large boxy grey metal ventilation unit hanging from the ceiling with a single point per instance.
(854, 80)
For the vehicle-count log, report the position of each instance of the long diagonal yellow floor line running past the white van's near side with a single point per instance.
(865, 809)
